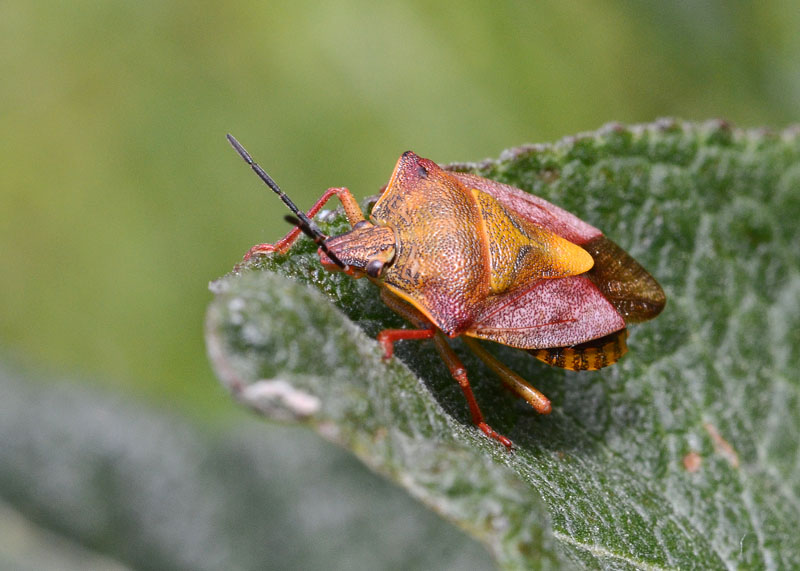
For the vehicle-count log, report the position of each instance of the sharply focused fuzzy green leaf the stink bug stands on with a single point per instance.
(684, 454)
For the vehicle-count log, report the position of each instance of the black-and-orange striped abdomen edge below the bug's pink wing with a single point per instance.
(589, 356)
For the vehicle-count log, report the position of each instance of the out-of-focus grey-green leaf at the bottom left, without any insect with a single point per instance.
(91, 480)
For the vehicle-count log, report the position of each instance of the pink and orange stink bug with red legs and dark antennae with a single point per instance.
(460, 255)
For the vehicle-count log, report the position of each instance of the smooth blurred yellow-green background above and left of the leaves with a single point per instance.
(120, 198)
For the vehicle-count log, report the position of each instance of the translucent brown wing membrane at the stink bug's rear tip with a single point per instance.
(626, 284)
